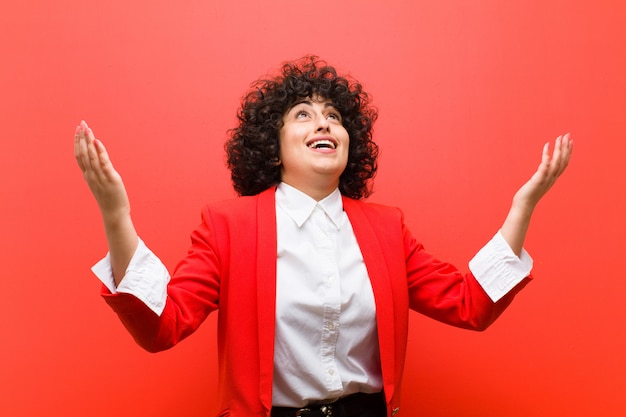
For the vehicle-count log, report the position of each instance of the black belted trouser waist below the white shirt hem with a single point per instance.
(351, 406)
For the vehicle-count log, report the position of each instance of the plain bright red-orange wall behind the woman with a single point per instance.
(468, 92)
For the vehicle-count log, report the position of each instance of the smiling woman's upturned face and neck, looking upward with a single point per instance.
(313, 145)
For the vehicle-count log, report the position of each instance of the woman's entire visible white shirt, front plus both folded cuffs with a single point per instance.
(326, 344)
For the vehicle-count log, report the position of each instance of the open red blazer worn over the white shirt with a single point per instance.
(231, 265)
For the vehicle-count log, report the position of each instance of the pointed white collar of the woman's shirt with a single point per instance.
(299, 205)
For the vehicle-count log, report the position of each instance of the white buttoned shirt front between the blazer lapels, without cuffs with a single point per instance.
(326, 343)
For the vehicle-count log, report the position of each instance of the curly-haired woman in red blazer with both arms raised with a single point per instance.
(313, 284)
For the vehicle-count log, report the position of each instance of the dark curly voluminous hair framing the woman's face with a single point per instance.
(253, 147)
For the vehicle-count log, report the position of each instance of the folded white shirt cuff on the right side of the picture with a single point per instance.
(497, 269)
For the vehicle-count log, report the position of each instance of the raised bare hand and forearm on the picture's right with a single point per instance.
(525, 200)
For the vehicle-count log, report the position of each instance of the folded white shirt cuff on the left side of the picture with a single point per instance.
(146, 278)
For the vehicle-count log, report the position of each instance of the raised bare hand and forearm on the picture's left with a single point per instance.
(107, 187)
